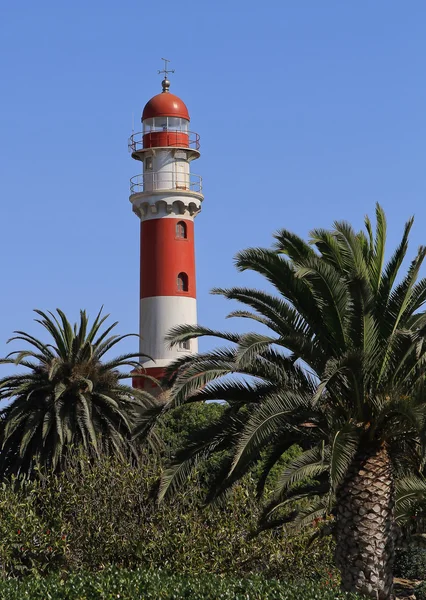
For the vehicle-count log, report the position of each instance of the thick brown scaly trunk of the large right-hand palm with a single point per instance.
(364, 525)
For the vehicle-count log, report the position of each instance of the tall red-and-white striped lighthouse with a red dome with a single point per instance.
(166, 196)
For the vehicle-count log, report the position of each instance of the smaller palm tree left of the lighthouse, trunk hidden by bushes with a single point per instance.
(68, 397)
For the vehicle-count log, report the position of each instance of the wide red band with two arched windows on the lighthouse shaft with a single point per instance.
(163, 257)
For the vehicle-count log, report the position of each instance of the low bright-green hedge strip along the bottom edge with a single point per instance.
(157, 585)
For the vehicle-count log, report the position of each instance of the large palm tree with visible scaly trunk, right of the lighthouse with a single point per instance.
(338, 369)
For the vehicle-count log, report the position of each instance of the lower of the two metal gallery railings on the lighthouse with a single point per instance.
(165, 180)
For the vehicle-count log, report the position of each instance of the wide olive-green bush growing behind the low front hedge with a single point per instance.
(103, 514)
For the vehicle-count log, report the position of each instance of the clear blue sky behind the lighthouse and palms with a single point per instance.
(308, 111)
